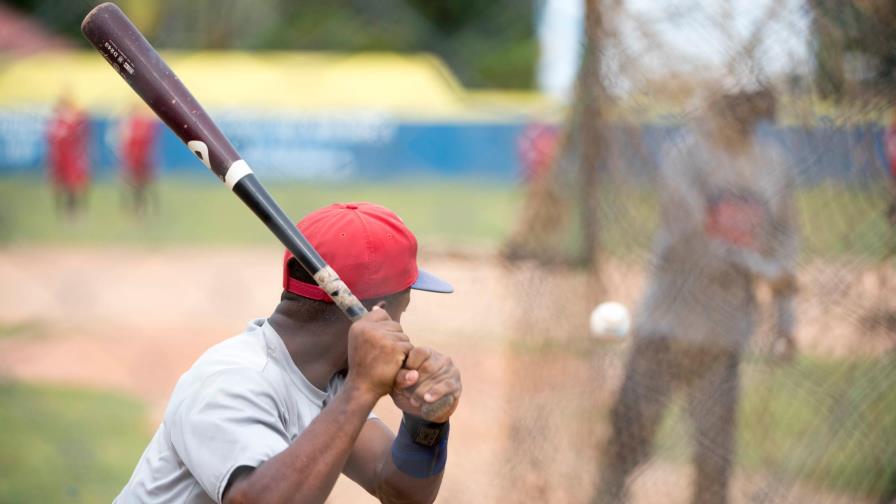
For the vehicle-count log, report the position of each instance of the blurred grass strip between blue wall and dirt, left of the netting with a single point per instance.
(202, 212)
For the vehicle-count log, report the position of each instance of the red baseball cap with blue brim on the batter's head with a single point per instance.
(368, 246)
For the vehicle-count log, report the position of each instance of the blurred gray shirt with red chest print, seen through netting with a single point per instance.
(701, 286)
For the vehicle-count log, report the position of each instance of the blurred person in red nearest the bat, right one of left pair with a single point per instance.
(137, 138)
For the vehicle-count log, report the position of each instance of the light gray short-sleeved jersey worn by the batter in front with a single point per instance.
(243, 402)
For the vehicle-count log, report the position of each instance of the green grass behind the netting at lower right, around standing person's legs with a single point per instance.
(830, 424)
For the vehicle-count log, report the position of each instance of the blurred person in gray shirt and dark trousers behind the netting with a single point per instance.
(727, 220)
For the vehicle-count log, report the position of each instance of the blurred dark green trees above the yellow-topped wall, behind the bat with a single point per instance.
(487, 43)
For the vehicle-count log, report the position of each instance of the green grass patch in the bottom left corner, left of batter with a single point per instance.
(67, 445)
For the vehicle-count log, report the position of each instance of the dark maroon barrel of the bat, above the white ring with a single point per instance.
(141, 66)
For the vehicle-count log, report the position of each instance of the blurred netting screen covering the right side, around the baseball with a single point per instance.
(737, 383)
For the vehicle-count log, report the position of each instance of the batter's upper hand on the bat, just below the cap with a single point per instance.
(377, 347)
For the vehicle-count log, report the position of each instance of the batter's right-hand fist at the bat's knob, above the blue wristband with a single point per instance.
(427, 377)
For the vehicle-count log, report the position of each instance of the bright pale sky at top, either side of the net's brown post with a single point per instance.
(686, 36)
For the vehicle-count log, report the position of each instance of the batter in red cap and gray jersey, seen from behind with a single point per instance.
(276, 413)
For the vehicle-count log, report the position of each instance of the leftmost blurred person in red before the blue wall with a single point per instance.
(68, 135)
